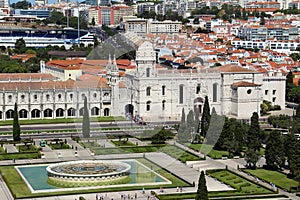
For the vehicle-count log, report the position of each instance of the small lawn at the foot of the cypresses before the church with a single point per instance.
(208, 150)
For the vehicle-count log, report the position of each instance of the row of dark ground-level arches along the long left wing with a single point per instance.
(71, 112)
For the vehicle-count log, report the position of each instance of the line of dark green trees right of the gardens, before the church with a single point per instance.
(242, 139)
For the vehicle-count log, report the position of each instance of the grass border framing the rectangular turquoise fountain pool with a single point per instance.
(19, 188)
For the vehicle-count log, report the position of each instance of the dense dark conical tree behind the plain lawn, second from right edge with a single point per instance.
(274, 154)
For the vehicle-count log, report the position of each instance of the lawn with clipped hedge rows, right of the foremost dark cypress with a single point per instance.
(241, 185)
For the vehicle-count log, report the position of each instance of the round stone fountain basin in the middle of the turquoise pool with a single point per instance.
(88, 171)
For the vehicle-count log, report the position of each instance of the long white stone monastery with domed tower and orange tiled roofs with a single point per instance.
(149, 92)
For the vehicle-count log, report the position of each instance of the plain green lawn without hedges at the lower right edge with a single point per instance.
(278, 178)
